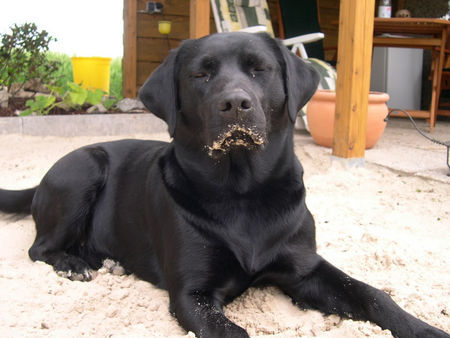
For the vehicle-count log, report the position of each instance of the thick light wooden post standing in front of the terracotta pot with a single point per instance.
(353, 81)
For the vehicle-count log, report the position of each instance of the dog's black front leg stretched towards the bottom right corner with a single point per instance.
(331, 291)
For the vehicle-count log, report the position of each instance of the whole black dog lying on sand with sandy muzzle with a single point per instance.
(219, 209)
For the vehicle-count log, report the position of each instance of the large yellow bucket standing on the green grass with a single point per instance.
(92, 72)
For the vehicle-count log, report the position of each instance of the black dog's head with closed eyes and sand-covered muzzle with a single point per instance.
(229, 90)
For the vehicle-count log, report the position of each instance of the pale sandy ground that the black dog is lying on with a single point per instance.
(388, 227)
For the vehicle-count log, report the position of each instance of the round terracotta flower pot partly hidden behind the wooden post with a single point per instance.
(320, 116)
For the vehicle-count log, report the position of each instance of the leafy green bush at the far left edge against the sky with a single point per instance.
(23, 56)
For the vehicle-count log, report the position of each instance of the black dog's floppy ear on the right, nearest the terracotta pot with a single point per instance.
(301, 81)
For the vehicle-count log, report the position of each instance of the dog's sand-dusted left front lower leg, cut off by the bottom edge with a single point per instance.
(203, 315)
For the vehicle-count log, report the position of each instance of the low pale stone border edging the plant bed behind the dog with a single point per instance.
(83, 125)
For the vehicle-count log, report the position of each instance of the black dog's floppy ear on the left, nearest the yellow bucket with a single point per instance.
(159, 92)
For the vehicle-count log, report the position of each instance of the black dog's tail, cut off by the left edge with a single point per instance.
(16, 201)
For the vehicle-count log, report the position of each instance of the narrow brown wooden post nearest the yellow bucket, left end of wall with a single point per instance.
(129, 62)
